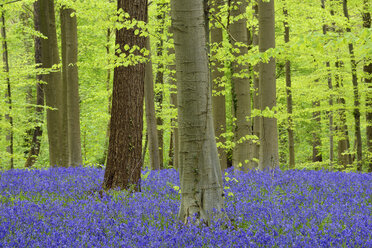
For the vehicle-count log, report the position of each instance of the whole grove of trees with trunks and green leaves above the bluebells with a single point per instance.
(248, 84)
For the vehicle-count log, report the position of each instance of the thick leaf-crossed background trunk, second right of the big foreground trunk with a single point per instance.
(242, 154)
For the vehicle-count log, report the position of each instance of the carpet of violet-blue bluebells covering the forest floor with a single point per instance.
(60, 207)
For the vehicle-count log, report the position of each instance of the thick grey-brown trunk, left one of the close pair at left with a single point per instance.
(53, 87)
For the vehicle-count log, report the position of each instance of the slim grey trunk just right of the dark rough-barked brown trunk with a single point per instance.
(150, 113)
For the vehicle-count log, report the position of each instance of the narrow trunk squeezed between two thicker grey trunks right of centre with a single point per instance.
(256, 94)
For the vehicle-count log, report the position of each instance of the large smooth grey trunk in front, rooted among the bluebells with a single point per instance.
(199, 168)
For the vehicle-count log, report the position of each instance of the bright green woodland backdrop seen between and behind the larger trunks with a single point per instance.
(316, 56)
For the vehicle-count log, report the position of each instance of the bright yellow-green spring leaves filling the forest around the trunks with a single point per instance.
(308, 50)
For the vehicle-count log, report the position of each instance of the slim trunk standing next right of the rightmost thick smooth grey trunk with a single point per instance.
(289, 96)
